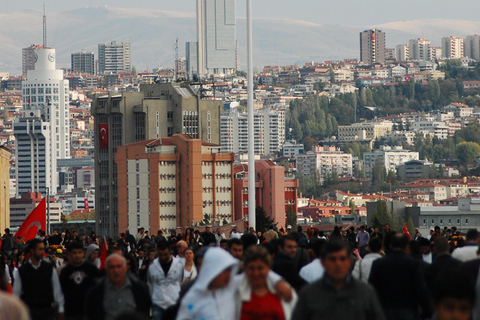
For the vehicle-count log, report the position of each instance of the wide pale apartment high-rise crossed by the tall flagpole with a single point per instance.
(269, 129)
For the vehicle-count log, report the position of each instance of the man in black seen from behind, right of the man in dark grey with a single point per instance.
(399, 282)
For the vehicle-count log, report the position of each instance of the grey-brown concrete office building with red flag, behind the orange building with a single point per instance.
(157, 111)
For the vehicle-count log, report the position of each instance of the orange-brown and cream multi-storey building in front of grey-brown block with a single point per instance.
(174, 182)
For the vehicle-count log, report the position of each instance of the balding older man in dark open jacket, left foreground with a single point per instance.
(117, 293)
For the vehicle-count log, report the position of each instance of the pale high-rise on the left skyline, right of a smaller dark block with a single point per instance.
(114, 57)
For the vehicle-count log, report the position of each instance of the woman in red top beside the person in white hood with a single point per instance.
(263, 303)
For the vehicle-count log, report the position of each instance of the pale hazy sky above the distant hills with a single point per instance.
(345, 12)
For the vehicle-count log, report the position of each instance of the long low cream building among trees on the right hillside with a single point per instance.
(364, 130)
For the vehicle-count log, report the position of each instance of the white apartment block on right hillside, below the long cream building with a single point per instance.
(390, 157)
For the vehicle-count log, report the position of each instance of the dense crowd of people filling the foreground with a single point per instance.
(351, 273)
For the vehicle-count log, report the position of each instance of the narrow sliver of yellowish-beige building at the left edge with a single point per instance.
(4, 188)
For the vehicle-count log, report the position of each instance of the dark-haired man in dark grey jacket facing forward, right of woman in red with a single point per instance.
(342, 296)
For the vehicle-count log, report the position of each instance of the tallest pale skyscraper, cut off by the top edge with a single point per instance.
(216, 36)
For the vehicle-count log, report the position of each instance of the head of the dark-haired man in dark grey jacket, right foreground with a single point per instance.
(336, 259)
